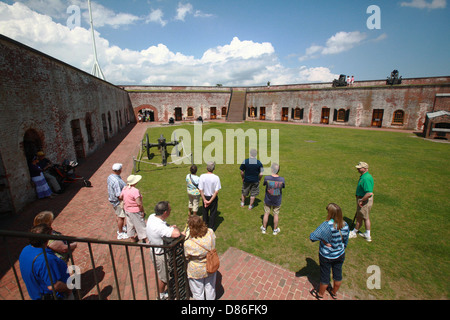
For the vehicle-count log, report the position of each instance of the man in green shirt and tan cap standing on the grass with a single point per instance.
(364, 201)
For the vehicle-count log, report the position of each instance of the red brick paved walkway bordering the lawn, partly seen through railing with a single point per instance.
(86, 212)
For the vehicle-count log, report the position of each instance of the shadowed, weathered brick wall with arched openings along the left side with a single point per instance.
(41, 100)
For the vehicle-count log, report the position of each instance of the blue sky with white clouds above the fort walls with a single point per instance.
(238, 43)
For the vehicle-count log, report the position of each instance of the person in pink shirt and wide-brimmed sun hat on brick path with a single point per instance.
(134, 209)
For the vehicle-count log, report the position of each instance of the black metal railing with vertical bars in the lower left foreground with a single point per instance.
(175, 263)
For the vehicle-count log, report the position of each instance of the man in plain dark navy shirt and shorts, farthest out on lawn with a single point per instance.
(251, 173)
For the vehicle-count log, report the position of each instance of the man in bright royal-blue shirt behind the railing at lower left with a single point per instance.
(34, 269)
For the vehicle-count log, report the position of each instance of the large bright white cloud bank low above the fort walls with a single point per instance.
(241, 62)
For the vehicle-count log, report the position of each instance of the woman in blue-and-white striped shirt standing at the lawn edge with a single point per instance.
(333, 237)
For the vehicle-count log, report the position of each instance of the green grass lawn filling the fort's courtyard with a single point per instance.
(409, 217)
